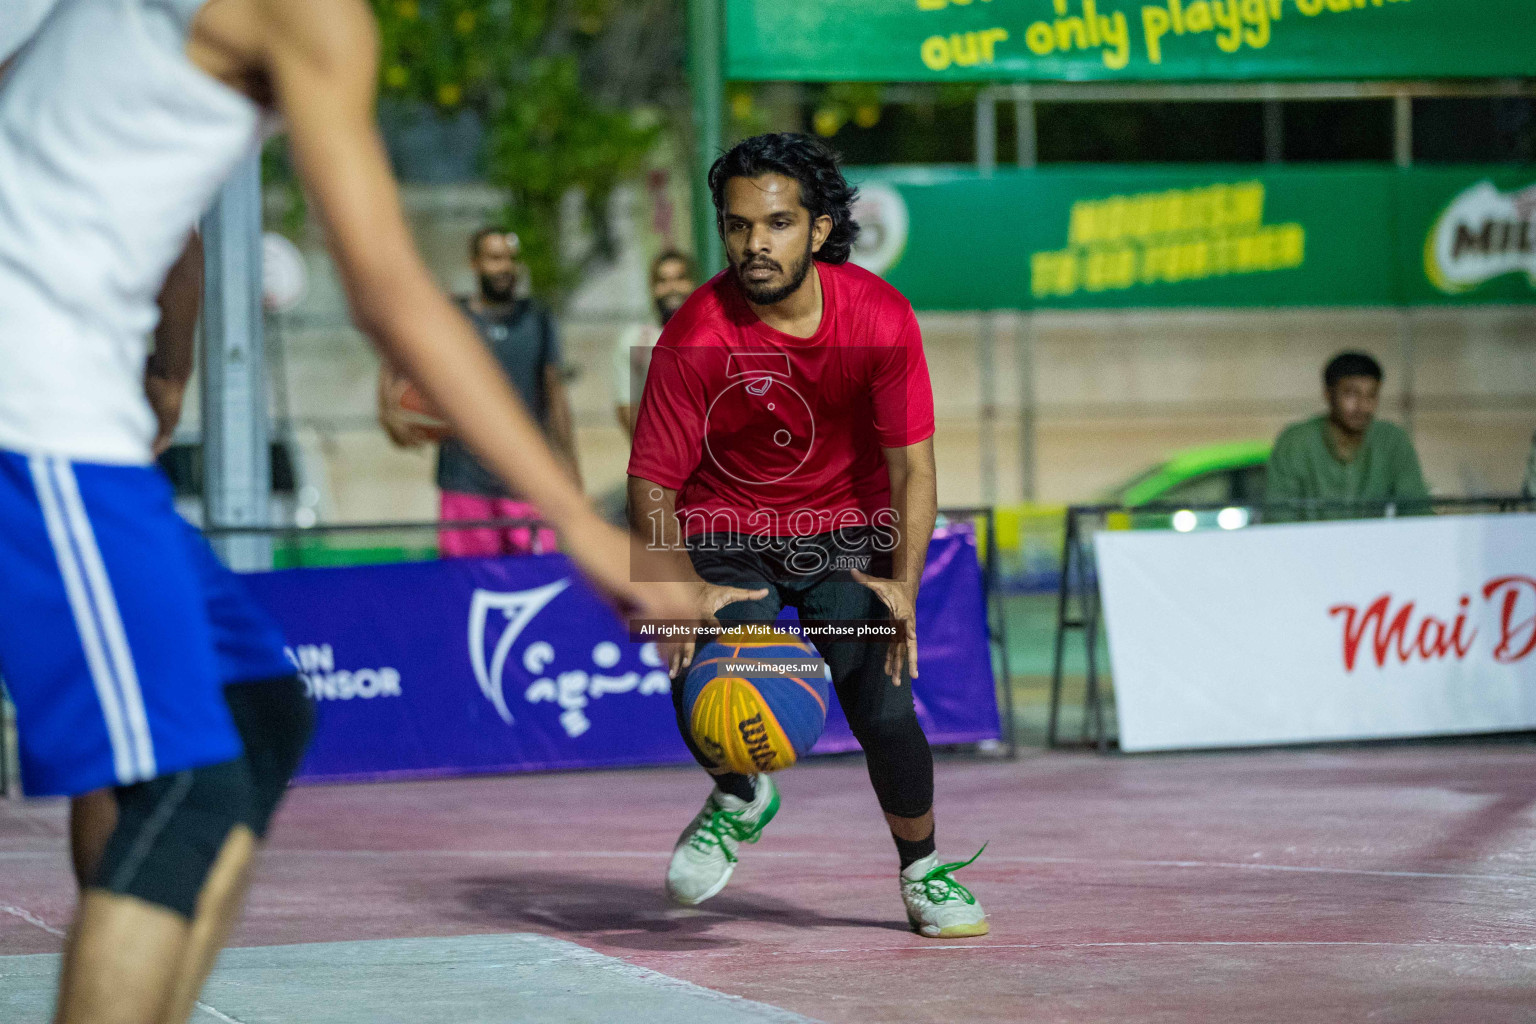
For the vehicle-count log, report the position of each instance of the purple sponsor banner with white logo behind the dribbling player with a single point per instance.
(495, 666)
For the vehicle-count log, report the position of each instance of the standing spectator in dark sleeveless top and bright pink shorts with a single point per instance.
(523, 337)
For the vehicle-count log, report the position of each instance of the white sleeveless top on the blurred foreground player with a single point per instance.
(113, 145)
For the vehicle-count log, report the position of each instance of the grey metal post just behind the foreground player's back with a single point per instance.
(237, 475)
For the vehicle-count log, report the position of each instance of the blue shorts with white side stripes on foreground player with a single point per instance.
(118, 629)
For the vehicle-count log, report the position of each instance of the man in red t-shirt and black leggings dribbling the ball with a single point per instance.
(786, 437)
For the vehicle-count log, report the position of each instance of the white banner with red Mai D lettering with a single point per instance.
(1322, 632)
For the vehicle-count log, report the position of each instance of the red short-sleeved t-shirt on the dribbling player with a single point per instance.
(766, 434)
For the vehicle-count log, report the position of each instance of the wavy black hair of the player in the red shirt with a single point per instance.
(824, 190)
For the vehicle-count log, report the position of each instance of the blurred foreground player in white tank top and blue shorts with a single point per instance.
(119, 122)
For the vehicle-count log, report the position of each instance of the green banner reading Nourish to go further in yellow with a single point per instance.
(1239, 237)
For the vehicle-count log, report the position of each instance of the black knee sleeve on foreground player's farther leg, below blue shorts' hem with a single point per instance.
(276, 722)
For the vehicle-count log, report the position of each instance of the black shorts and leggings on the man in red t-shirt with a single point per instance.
(812, 576)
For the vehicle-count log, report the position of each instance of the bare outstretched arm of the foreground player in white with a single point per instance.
(323, 64)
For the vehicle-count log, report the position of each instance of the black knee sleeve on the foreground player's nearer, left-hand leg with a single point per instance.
(170, 833)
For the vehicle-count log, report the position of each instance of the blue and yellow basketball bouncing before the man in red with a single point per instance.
(753, 721)
